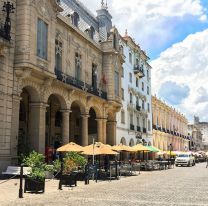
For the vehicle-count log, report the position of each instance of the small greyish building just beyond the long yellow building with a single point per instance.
(195, 138)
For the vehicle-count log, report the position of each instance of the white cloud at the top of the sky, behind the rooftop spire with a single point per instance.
(149, 20)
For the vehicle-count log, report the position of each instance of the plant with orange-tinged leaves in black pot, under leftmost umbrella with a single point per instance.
(73, 164)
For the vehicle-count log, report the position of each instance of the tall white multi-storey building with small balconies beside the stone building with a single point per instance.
(134, 121)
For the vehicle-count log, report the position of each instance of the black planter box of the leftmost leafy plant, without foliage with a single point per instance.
(35, 186)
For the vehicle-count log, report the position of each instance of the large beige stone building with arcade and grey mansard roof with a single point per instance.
(60, 77)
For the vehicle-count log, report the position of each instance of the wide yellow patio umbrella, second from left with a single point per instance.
(98, 149)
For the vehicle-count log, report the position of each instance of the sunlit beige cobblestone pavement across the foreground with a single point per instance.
(178, 186)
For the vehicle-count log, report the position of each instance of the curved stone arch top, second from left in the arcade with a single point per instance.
(60, 94)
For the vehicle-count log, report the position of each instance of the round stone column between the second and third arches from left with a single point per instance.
(65, 126)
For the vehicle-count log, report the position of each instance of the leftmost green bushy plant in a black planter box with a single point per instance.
(35, 181)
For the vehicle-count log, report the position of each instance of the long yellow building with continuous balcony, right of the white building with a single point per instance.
(170, 130)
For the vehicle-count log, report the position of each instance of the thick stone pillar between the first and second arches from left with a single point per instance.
(37, 127)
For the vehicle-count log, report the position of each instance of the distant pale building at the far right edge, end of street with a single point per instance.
(203, 128)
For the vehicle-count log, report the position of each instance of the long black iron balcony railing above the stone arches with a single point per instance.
(79, 84)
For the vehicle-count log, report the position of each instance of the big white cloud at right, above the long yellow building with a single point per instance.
(186, 63)
